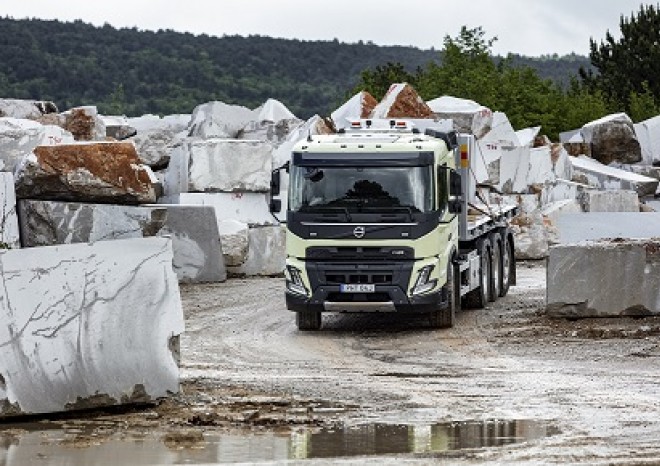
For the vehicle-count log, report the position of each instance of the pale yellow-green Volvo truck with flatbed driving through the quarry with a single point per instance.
(386, 216)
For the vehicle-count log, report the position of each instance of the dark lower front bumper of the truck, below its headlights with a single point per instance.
(387, 298)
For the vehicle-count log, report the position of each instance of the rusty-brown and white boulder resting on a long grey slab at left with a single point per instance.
(90, 172)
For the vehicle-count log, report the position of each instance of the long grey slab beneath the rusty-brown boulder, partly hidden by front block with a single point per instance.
(193, 229)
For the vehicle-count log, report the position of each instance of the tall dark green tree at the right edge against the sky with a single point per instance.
(627, 69)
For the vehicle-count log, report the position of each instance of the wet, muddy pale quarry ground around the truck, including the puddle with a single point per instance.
(584, 391)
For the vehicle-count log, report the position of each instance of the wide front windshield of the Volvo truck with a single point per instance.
(361, 189)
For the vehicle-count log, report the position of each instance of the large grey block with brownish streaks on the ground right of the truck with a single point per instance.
(604, 279)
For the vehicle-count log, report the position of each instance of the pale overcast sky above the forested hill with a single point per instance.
(528, 27)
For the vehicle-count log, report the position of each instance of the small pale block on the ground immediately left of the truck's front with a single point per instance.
(266, 253)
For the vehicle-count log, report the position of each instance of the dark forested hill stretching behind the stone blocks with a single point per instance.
(134, 72)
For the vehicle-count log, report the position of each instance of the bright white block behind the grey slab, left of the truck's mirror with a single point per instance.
(249, 208)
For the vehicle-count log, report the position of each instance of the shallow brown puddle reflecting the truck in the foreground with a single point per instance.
(83, 446)
